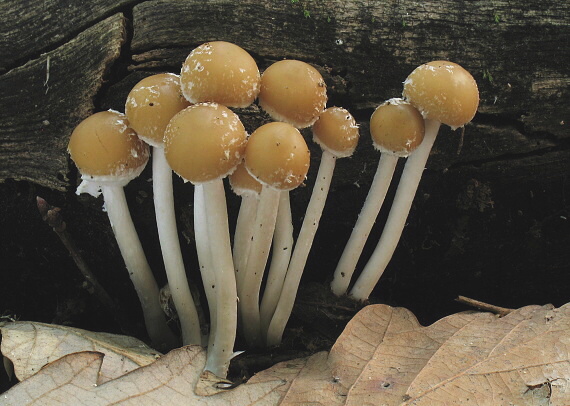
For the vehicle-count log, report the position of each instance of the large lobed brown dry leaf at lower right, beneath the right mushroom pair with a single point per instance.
(385, 357)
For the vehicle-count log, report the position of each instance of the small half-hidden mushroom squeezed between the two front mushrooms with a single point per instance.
(248, 188)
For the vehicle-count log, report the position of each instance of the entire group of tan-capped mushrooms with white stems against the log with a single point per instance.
(190, 124)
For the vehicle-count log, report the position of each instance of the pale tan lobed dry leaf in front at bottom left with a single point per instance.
(170, 380)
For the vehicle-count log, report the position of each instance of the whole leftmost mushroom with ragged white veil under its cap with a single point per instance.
(109, 154)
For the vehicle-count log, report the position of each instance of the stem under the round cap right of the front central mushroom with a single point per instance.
(258, 254)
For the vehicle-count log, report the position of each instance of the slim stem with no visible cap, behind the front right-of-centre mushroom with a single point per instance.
(281, 254)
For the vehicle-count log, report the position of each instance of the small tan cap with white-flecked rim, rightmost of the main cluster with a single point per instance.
(336, 131)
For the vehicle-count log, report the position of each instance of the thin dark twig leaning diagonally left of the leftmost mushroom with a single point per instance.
(52, 216)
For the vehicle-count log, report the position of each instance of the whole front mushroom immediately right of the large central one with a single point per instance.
(278, 157)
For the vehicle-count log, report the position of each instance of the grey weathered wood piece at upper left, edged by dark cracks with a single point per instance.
(43, 100)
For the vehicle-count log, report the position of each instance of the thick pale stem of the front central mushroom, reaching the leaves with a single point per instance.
(221, 351)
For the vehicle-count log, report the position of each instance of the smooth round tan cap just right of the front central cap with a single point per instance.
(277, 155)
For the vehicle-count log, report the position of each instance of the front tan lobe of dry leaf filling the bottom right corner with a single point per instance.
(522, 358)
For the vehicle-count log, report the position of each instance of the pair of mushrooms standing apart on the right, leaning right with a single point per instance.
(439, 92)
